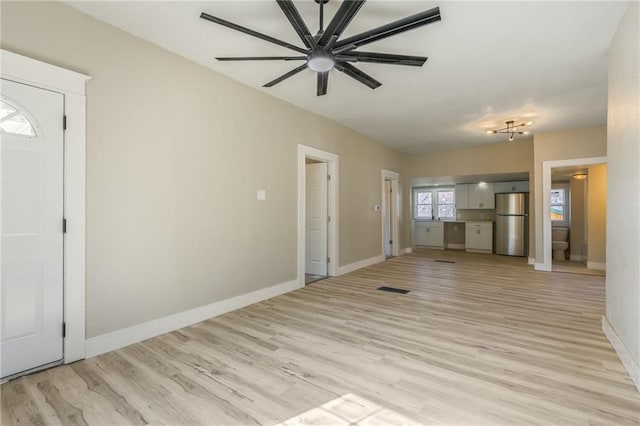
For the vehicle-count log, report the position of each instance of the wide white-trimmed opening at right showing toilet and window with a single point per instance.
(574, 225)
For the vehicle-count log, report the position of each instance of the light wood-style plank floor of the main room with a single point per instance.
(482, 341)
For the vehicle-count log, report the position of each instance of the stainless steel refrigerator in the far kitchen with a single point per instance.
(512, 224)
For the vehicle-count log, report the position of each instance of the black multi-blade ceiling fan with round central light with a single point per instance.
(325, 51)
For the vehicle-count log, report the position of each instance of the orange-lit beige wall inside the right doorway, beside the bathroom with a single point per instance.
(597, 216)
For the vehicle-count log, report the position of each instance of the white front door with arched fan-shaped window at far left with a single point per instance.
(32, 235)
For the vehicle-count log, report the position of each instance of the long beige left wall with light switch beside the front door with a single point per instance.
(175, 153)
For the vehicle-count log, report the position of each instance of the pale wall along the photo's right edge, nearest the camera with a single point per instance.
(623, 173)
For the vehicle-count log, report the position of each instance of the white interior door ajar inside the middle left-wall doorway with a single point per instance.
(316, 219)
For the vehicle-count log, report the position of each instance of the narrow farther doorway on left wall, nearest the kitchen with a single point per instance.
(390, 213)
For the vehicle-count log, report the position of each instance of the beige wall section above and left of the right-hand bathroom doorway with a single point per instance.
(565, 145)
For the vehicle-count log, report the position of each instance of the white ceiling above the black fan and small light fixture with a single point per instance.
(488, 62)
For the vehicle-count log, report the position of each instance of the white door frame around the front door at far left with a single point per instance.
(71, 85)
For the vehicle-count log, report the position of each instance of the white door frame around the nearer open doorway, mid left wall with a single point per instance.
(331, 159)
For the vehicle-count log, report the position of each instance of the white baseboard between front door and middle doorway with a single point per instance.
(137, 333)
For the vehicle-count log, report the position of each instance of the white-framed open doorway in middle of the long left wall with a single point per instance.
(317, 214)
